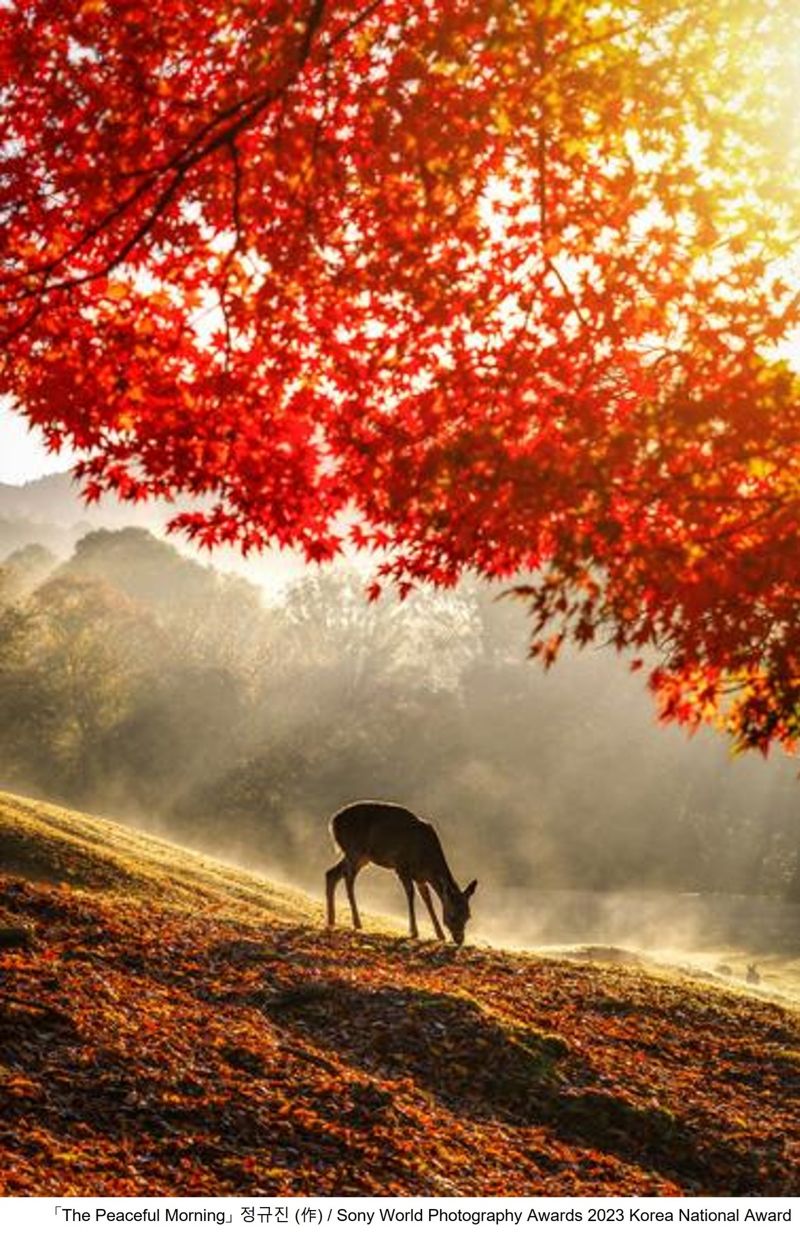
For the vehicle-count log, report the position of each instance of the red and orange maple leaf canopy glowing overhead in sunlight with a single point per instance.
(502, 286)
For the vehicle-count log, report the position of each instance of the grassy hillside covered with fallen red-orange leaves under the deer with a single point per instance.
(176, 1027)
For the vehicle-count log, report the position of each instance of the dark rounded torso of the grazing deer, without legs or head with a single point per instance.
(386, 834)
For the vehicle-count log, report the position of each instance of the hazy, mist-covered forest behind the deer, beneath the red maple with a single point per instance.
(139, 684)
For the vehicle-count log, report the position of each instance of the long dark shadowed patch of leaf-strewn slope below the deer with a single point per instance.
(487, 1069)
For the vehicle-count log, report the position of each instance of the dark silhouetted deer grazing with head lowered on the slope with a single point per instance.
(393, 837)
